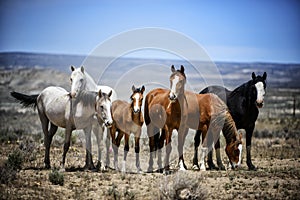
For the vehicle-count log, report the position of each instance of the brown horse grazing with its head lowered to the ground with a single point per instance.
(209, 114)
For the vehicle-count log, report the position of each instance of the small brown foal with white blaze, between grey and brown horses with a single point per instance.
(128, 118)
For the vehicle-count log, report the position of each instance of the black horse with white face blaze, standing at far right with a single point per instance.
(243, 104)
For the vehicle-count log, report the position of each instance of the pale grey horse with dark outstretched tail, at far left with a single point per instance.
(57, 108)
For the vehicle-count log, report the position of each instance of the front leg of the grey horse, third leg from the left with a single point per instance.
(88, 158)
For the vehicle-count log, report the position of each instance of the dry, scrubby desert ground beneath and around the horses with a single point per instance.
(275, 152)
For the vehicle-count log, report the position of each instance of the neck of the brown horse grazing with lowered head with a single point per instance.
(229, 129)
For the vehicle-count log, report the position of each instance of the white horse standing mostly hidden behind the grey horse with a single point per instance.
(80, 81)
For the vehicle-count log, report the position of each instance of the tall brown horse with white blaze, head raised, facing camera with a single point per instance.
(166, 109)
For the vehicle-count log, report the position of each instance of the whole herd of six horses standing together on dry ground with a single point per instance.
(93, 108)
